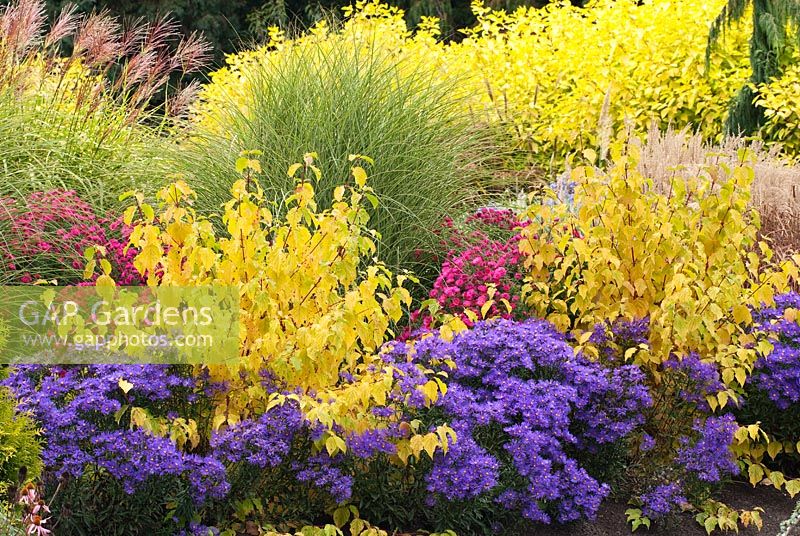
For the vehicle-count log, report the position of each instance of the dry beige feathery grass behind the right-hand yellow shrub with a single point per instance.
(776, 188)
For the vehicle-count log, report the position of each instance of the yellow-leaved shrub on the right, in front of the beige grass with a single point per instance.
(688, 260)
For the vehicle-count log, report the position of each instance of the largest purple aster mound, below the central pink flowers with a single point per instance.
(523, 379)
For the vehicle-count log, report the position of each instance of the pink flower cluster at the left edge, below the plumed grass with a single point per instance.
(47, 233)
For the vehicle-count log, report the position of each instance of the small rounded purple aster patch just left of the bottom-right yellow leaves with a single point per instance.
(708, 456)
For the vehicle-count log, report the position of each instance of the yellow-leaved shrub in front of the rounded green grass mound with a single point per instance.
(315, 306)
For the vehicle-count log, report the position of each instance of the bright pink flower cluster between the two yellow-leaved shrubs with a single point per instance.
(480, 262)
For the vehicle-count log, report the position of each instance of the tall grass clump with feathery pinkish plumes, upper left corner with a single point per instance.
(78, 100)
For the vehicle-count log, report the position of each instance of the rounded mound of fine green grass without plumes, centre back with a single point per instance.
(337, 93)
